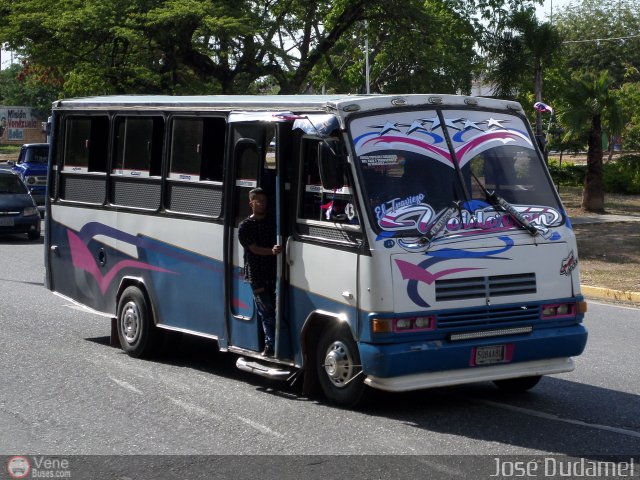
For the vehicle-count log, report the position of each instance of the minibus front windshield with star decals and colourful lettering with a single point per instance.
(411, 176)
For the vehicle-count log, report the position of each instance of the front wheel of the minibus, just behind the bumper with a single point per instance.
(338, 367)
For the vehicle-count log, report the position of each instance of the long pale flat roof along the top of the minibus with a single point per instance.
(342, 105)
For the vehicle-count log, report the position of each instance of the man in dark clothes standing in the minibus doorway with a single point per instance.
(257, 234)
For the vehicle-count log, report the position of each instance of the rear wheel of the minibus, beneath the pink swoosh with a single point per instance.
(137, 332)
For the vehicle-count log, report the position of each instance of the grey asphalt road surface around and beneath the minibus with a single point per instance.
(64, 392)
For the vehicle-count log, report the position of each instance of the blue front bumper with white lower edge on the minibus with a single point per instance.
(419, 365)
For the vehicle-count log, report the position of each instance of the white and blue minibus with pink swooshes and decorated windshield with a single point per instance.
(424, 244)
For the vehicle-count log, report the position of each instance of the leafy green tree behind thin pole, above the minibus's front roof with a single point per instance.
(434, 52)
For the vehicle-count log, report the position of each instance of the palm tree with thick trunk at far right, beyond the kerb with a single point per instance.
(592, 105)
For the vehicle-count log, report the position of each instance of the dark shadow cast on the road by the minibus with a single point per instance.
(548, 418)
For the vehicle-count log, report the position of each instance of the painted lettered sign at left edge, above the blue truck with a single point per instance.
(20, 125)
